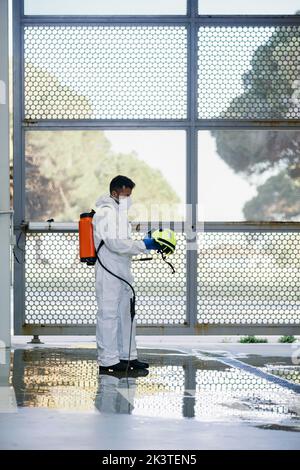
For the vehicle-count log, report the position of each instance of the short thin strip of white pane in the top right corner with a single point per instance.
(255, 7)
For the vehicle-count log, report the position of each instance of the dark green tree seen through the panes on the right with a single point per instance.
(271, 90)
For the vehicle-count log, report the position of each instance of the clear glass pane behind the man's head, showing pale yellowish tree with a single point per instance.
(66, 172)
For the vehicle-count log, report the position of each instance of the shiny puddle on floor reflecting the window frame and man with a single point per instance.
(177, 386)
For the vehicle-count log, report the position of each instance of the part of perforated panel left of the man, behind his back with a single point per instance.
(59, 289)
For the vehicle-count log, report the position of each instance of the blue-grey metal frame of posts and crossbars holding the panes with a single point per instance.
(191, 125)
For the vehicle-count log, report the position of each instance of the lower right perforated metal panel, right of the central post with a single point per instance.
(249, 278)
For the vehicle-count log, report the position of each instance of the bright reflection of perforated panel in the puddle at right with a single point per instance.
(238, 394)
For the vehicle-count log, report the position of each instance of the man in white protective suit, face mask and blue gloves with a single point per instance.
(110, 224)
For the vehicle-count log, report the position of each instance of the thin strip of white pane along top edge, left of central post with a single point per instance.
(105, 7)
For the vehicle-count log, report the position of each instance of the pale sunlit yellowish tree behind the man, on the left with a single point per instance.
(66, 171)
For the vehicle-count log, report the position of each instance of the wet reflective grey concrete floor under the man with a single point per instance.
(197, 398)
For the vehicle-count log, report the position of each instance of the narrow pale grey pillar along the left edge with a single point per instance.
(4, 182)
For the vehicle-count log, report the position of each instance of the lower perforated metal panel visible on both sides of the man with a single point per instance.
(61, 291)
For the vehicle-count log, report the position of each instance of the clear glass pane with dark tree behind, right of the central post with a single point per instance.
(251, 175)
